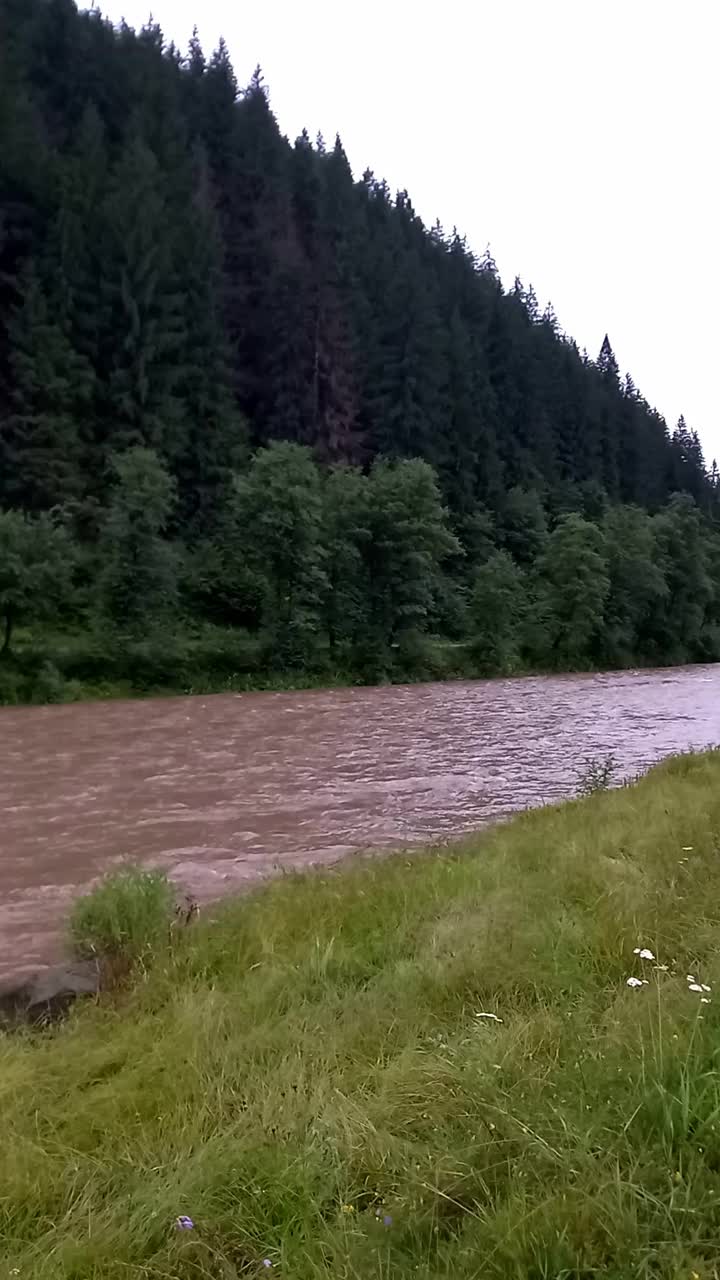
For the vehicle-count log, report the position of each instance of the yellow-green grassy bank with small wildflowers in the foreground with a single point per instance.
(311, 1080)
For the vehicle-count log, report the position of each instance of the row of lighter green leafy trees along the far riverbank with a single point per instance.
(357, 574)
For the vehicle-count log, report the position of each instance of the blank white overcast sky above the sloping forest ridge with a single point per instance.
(578, 139)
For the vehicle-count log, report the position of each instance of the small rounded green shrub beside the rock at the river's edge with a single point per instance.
(124, 921)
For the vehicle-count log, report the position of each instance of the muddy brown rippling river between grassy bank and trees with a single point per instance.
(222, 790)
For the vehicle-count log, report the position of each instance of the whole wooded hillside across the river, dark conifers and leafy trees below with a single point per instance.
(259, 423)
